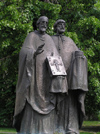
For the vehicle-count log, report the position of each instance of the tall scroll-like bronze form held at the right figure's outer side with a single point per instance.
(78, 72)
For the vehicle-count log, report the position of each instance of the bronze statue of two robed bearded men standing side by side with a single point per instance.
(52, 83)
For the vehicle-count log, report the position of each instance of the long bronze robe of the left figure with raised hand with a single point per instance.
(35, 105)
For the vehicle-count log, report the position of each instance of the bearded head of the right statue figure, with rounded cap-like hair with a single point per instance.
(59, 26)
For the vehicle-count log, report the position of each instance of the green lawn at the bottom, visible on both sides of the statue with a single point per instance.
(89, 127)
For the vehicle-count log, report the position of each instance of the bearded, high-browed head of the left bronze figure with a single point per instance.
(42, 24)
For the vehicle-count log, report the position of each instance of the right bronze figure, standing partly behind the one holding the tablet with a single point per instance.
(71, 110)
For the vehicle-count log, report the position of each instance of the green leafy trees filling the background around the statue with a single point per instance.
(18, 18)
